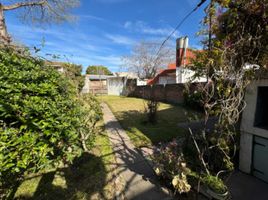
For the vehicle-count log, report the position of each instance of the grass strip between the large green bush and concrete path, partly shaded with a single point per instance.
(88, 178)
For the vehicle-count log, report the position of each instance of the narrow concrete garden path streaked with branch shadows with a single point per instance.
(139, 179)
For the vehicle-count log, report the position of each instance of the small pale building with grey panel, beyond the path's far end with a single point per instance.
(95, 84)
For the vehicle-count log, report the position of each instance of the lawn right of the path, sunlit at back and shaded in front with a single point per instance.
(130, 114)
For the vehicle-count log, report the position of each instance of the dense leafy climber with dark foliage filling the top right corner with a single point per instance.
(241, 25)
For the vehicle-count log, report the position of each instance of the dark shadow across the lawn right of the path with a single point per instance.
(164, 130)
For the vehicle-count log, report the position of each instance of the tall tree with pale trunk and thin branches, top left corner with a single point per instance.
(35, 11)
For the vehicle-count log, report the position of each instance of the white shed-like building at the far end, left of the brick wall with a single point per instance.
(121, 83)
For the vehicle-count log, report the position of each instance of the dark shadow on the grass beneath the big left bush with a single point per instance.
(81, 180)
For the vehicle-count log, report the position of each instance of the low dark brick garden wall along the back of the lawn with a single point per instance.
(170, 93)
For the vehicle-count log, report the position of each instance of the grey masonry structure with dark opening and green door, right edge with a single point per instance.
(253, 157)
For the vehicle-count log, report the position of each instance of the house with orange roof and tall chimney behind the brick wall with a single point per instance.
(178, 72)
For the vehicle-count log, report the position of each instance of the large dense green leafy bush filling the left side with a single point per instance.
(42, 119)
